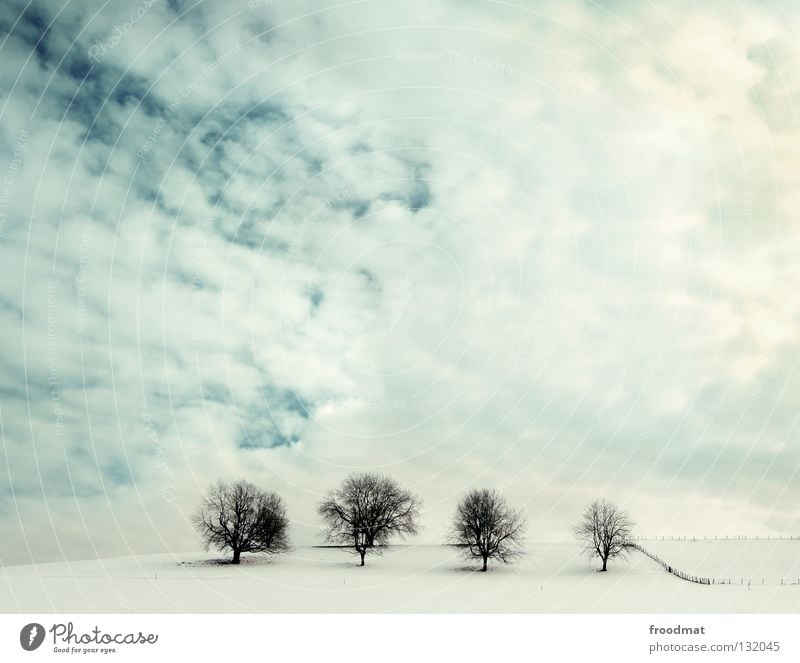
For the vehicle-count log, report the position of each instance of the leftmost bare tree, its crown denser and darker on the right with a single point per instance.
(241, 518)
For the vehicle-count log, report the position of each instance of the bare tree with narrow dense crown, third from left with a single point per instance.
(487, 528)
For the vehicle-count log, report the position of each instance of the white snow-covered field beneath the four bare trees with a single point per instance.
(550, 578)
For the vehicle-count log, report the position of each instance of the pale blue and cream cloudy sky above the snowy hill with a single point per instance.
(545, 247)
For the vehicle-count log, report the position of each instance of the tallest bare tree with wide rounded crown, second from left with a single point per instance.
(367, 510)
